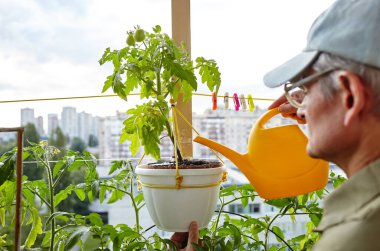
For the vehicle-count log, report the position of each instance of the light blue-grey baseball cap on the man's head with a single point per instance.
(349, 28)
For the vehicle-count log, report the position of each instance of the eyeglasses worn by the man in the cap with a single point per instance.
(296, 92)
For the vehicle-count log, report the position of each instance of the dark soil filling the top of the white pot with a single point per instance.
(186, 164)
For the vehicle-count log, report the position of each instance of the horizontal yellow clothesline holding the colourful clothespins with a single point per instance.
(105, 96)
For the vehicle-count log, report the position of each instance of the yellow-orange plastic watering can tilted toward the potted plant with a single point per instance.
(276, 164)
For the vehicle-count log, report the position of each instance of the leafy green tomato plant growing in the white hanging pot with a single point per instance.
(152, 64)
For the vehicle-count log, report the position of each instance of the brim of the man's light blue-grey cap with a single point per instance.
(291, 69)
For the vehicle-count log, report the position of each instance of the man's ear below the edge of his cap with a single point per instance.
(353, 95)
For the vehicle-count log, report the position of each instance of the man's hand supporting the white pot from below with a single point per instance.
(183, 240)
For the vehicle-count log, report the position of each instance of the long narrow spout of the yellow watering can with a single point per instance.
(240, 160)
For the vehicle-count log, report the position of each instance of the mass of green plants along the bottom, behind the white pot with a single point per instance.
(62, 230)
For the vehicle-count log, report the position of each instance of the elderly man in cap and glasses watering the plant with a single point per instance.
(334, 86)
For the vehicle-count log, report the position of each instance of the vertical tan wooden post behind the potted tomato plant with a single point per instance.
(181, 33)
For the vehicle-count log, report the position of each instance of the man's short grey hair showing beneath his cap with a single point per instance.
(369, 75)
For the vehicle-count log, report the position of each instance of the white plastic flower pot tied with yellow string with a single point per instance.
(173, 209)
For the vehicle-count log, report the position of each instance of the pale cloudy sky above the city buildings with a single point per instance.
(51, 48)
